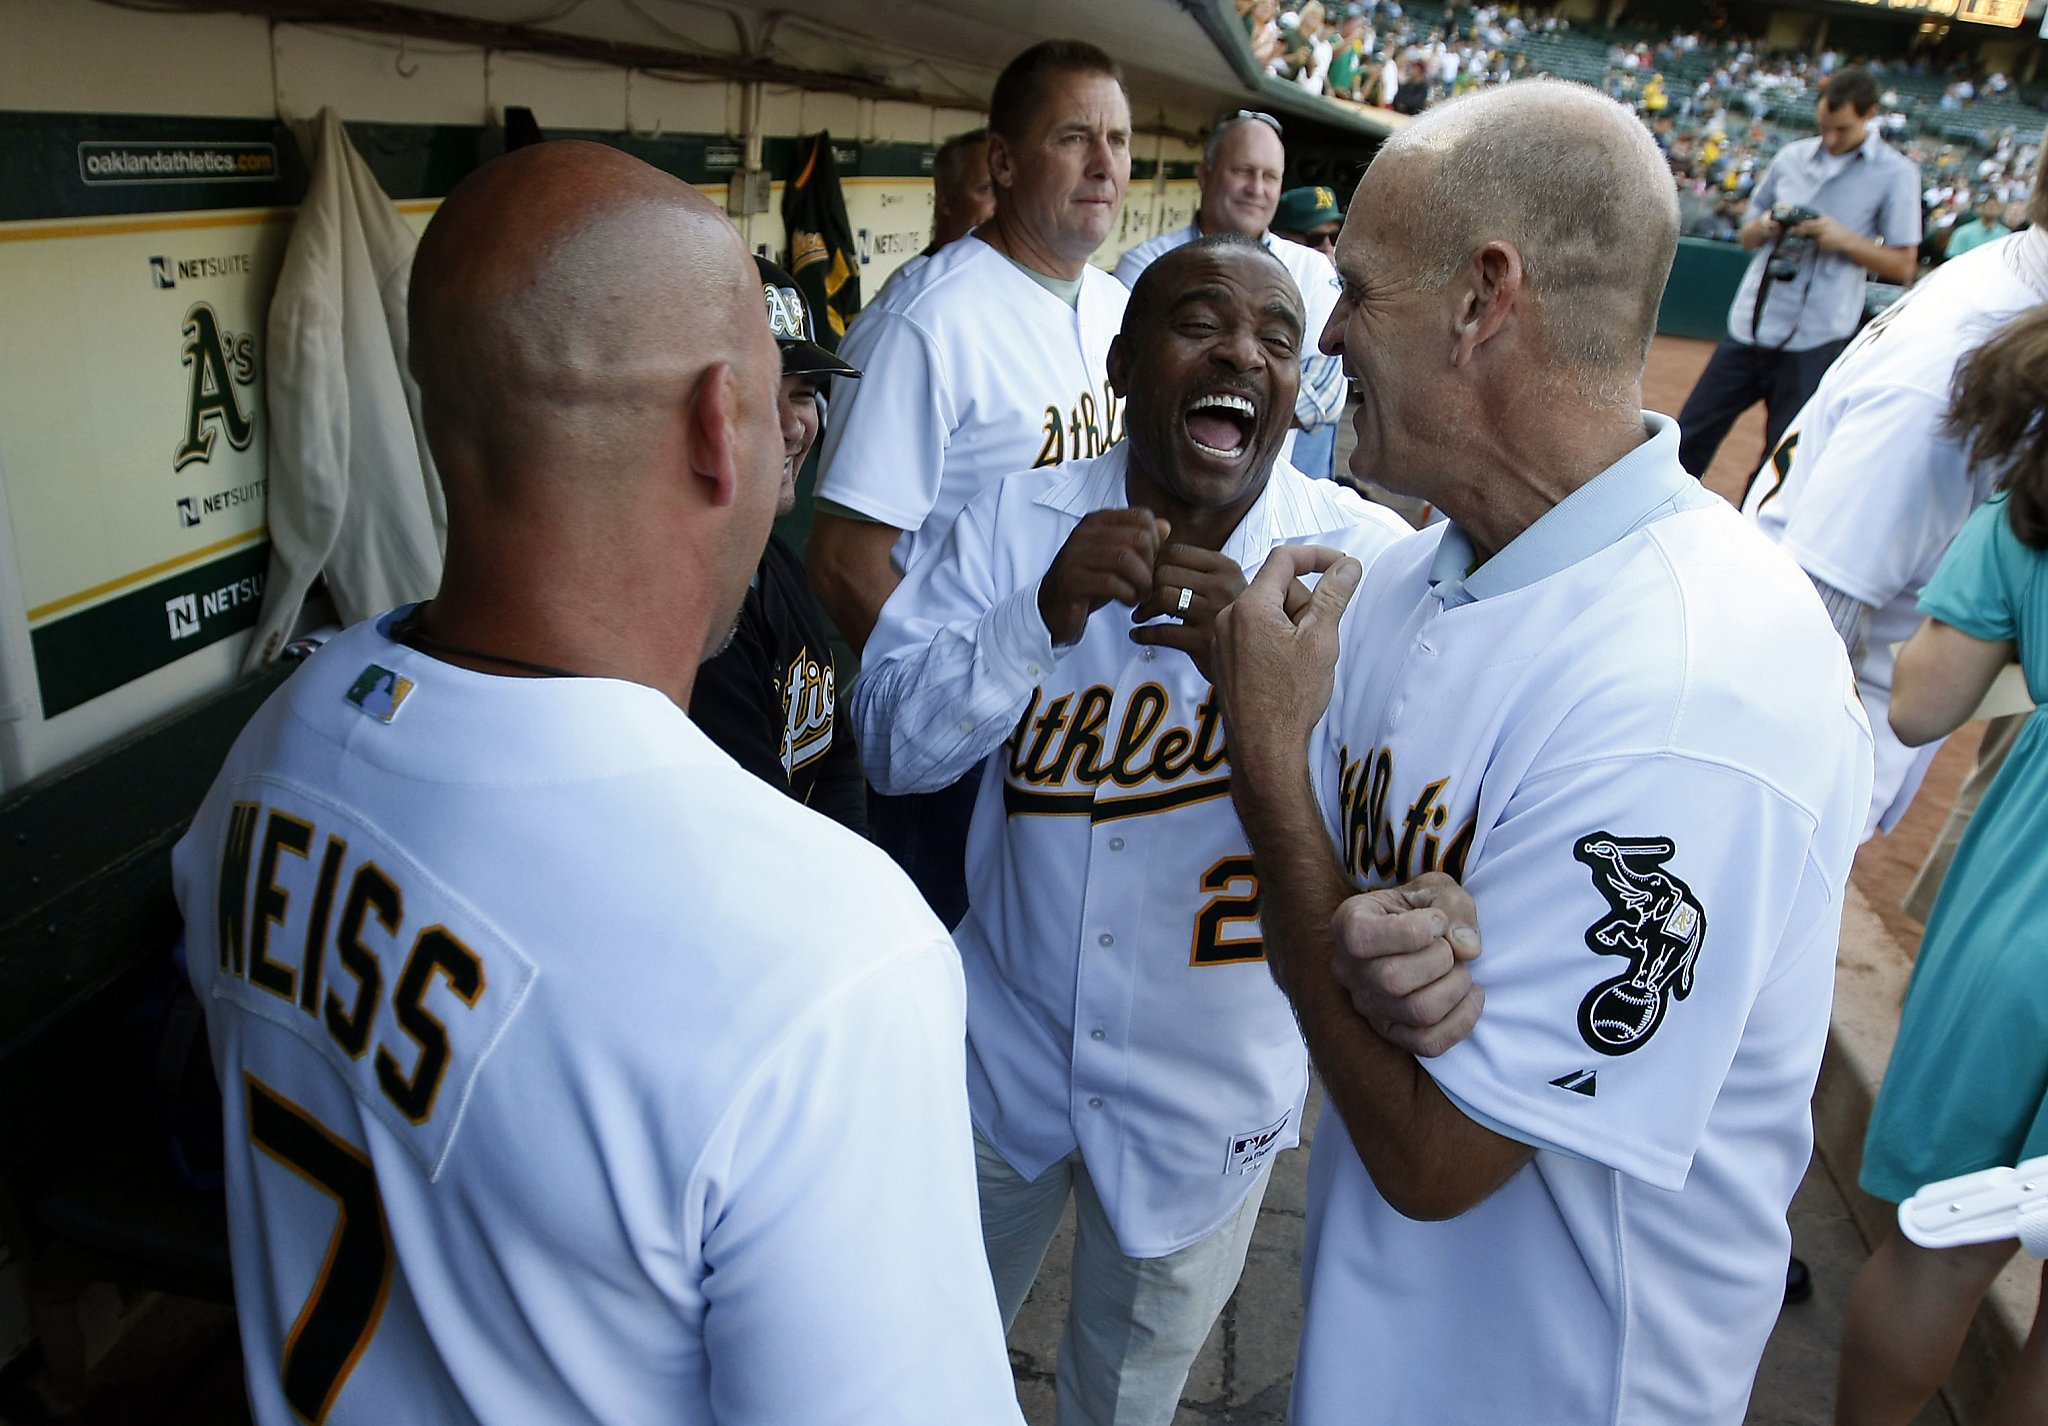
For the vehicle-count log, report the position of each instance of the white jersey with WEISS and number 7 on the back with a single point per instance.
(546, 1099)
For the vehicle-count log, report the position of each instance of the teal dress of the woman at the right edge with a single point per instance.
(1969, 1079)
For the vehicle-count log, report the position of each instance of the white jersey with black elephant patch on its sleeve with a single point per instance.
(1633, 737)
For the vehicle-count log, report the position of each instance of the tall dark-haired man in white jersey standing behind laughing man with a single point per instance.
(984, 362)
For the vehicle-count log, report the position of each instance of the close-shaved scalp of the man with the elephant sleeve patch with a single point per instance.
(1564, 175)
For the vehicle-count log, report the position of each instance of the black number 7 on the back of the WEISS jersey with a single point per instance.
(355, 1280)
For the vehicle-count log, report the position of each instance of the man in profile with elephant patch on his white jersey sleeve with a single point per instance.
(1619, 716)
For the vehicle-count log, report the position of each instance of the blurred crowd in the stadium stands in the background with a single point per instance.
(1721, 108)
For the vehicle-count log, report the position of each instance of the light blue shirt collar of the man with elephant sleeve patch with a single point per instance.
(1644, 487)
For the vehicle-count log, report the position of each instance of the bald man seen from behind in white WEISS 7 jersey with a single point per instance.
(544, 1101)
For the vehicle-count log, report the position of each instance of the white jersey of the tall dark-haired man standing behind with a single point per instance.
(974, 372)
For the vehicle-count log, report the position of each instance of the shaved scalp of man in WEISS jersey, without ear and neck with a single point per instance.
(564, 300)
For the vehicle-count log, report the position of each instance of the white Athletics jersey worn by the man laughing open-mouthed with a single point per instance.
(1117, 991)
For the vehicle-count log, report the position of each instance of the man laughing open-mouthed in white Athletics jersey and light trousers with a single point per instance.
(1127, 1046)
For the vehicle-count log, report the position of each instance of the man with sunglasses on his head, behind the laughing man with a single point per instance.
(1240, 177)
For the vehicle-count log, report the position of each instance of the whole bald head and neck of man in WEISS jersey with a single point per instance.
(599, 388)
